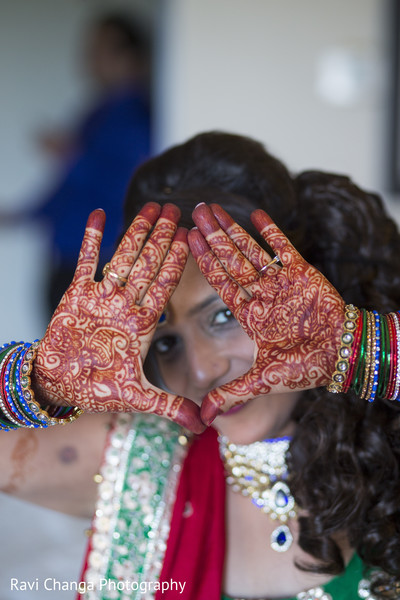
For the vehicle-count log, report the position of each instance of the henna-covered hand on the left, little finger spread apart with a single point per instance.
(93, 351)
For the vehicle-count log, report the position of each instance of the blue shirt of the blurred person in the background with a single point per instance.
(112, 141)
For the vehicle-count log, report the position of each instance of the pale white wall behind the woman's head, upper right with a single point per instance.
(252, 67)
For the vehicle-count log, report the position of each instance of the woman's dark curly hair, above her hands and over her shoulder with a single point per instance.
(345, 455)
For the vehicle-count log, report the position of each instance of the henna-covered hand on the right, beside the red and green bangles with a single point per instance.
(293, 314)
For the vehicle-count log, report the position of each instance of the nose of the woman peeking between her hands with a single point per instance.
(208, 367)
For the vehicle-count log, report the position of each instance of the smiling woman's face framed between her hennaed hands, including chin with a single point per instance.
(200, 346)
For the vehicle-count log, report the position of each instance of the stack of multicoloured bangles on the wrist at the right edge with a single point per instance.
(369, 355)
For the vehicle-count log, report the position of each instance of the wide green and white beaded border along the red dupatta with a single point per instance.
(136, 493)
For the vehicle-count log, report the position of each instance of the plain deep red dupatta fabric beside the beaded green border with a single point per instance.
(196, 543)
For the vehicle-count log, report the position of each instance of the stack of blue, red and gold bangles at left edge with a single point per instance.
(18, 407)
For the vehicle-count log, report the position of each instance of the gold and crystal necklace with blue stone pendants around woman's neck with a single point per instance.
(259, 471)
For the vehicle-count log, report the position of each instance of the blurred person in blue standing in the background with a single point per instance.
(97, 159)
